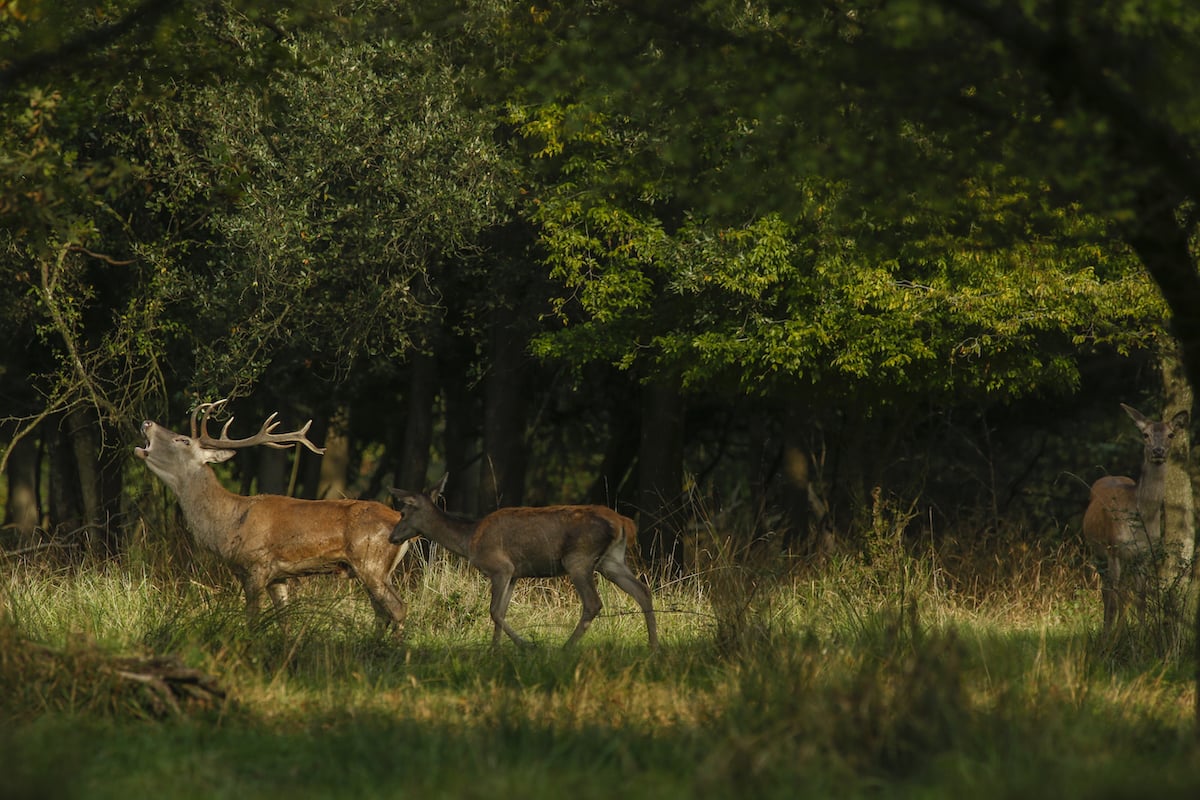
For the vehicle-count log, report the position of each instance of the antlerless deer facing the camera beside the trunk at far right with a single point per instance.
(1124, 522)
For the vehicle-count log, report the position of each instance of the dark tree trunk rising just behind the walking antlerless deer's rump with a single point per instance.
(661, 472)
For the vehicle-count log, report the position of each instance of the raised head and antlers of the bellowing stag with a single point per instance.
(175, 458)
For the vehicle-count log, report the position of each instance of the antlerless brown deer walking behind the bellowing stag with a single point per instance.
(544, 543)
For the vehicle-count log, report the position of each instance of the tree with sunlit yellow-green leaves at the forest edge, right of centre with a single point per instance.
(878, 315)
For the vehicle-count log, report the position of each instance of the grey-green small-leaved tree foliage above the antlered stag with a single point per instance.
(316, 200)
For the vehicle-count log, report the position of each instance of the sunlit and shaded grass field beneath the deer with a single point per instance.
(901, 679)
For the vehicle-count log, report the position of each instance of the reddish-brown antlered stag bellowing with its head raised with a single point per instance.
(268, 539)
